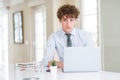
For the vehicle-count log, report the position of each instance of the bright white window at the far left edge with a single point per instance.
(4, 43)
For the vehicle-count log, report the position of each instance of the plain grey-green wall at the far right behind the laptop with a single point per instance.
(110, 22)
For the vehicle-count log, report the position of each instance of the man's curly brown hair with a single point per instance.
(68, 10)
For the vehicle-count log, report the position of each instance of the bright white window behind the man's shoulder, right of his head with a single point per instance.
(89, 18)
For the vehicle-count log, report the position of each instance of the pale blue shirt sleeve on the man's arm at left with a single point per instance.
(50, 49)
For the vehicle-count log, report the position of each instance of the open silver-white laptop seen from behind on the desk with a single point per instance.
(82, 59)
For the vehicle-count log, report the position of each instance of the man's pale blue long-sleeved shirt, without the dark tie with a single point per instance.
(58, 40)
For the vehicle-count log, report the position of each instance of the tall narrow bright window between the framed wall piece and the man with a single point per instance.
(40, 31)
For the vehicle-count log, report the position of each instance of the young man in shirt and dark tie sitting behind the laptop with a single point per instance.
(68, 36)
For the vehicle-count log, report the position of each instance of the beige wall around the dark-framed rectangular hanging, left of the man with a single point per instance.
(22, 52)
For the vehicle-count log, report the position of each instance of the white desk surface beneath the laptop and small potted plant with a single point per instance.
(66, 76)
